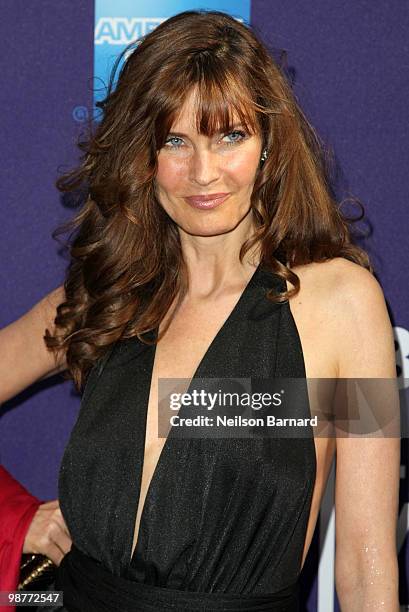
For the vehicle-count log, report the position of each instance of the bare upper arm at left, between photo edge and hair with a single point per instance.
(24, 357)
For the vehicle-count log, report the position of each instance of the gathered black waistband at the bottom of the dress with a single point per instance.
(90, 587)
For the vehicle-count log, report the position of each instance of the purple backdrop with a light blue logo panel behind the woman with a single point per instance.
(349, 64)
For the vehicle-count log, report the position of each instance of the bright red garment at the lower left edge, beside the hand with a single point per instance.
(17, 508)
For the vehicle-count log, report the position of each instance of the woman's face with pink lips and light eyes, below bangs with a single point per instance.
(191, 164)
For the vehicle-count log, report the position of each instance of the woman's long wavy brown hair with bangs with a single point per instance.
(126, 265)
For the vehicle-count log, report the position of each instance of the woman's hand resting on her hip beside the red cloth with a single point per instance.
(48, 534)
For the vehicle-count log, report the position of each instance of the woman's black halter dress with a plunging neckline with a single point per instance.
(221, 516)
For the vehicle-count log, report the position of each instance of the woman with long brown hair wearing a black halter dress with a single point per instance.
(208, 197)
